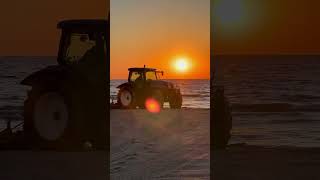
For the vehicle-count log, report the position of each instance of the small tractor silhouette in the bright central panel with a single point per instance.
(144, 83)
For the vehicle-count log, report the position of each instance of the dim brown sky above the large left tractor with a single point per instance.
(28, 28)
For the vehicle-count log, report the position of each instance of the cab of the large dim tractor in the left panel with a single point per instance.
(80, 38)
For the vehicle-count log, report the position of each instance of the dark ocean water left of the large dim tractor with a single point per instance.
(12, 95)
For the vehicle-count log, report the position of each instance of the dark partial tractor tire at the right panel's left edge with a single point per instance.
(221, 119)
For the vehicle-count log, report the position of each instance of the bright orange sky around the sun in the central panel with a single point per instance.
(153, 32)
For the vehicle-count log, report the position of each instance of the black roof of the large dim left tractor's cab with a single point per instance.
(88, 24)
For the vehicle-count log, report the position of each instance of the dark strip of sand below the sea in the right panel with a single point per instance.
(258, 163)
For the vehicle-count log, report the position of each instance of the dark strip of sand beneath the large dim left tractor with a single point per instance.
(40, 165)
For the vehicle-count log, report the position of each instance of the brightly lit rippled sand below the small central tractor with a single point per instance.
(173, 144)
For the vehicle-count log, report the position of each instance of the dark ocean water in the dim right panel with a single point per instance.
(275, 99)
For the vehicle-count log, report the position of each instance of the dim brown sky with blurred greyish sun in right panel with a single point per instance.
(265, 27)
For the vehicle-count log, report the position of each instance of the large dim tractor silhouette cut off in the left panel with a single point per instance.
(67, 102)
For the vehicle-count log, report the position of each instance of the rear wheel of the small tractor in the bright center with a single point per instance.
(126, 98)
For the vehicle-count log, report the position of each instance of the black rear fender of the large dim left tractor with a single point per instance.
(48, 76)
